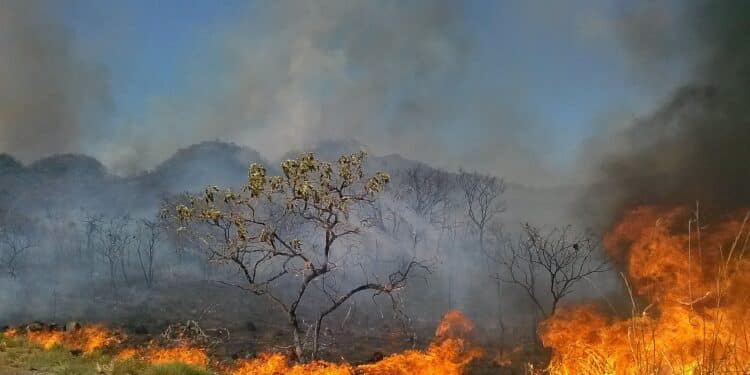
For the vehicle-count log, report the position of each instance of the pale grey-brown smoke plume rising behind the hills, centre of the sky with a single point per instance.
(286, 74)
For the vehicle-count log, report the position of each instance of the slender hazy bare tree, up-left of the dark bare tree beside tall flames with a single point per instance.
(483, 194)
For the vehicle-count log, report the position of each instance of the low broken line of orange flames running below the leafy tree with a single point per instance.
(448, 354)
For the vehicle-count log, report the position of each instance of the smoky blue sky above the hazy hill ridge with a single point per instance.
(514, 88)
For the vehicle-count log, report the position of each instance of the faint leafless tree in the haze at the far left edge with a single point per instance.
(16, 238)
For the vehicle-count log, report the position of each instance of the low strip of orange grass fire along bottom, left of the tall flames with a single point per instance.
(449, 353)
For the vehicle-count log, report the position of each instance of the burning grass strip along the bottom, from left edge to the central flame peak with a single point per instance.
(449, 353)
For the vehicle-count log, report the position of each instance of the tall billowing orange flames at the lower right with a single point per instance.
(694, 284)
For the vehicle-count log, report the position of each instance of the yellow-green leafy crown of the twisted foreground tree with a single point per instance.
(319, 192)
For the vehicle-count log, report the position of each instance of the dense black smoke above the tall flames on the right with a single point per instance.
(696, 146)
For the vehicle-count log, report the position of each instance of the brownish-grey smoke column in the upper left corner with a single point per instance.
(50, 99)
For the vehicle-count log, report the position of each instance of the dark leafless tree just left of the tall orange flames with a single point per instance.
(549, 266)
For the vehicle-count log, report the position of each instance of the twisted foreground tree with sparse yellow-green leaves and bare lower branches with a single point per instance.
(290, 232)
